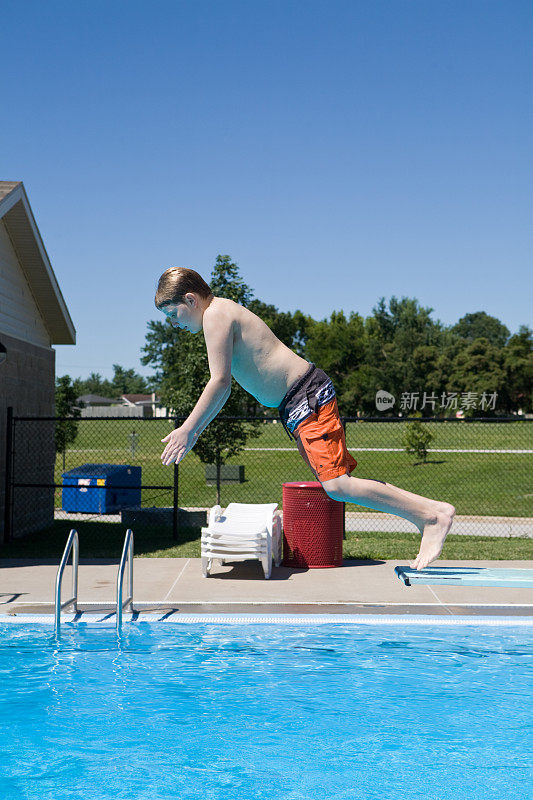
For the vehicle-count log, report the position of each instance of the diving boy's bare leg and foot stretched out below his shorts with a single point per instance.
(431, 517)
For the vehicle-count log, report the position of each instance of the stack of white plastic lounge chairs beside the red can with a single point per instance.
(242, 532)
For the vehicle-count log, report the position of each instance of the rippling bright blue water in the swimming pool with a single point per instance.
(299, 712)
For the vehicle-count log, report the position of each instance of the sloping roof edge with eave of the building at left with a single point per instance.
(17, 216)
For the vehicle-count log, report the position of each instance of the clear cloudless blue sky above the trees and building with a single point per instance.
(338, 151)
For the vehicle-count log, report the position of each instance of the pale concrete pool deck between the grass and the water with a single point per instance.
(177, 584)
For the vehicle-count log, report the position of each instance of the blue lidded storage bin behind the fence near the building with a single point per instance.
(117, 486)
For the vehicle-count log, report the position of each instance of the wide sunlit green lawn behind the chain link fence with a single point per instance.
(476, 483)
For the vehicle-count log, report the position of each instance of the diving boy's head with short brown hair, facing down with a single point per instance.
(182, 294)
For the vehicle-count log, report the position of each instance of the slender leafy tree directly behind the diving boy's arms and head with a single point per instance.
(183, 371)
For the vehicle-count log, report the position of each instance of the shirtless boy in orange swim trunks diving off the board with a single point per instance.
(241, 345)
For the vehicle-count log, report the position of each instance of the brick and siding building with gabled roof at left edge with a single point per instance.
(33, 318)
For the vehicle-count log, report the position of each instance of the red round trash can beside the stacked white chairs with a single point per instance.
(313, 525)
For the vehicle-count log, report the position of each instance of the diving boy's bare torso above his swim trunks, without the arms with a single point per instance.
(261, 363)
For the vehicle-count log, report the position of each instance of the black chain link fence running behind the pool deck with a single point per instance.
(482, 466)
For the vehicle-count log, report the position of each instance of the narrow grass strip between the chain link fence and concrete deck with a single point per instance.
(105, 540)
